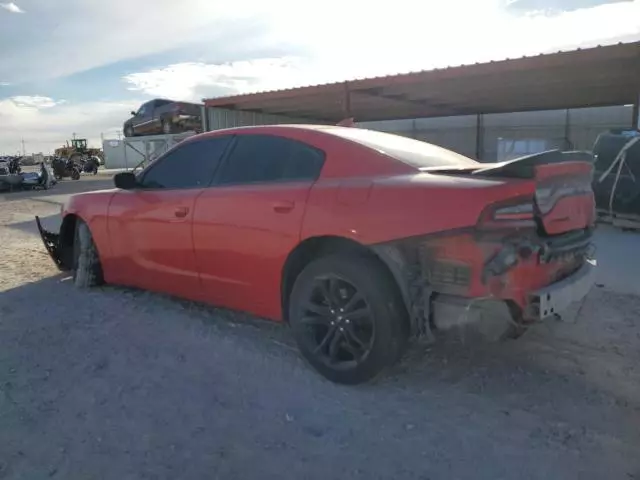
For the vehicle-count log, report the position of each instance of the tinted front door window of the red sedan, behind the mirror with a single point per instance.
(190, 165)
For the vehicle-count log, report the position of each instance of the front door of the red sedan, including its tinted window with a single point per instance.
(150, 227)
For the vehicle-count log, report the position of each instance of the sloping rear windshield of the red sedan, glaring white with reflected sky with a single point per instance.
(413, 152)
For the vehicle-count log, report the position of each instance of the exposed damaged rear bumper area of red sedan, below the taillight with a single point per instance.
(469, 276)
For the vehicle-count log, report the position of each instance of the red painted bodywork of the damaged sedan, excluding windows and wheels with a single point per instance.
(228, 245)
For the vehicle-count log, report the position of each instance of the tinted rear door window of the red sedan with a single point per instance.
(269, 158)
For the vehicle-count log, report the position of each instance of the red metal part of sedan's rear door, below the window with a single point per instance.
(242, 237)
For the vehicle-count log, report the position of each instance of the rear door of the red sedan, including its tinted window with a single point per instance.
(248, 222)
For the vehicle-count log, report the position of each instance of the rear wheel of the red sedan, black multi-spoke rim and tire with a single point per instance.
(347, 317)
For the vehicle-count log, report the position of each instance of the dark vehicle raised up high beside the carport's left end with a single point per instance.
(164, 116)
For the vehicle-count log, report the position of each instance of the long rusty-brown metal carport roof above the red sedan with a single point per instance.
(599, 76)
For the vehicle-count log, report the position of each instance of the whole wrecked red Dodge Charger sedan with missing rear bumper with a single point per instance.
(359, 240)
